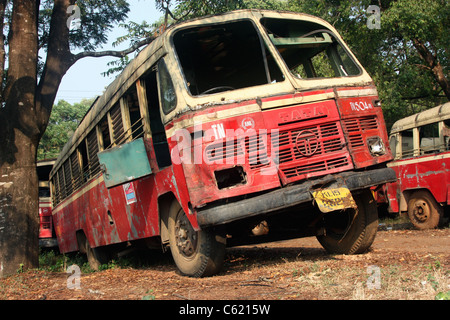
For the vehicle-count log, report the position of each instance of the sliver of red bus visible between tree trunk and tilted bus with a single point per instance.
(47, 236)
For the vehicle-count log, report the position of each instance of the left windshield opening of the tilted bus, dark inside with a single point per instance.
(223, 57)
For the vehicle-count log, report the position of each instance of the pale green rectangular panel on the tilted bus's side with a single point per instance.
(124, 163)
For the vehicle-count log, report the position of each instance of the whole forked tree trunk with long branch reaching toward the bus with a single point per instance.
(23, 120)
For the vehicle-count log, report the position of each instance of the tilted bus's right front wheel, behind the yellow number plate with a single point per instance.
(351, 231)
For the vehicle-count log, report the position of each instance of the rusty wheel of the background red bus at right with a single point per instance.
(423, 210)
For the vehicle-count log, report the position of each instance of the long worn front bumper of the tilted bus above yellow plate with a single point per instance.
(290, 196)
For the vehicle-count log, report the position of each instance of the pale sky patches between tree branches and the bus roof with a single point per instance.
(84, 79)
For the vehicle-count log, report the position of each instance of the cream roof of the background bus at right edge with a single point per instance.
(436, 114)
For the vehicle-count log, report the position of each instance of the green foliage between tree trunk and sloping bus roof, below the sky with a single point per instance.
(62, 124)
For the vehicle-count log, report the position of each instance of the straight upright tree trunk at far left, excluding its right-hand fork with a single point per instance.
(19, 220)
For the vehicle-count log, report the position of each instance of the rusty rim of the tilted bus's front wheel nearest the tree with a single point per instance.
(185, 236)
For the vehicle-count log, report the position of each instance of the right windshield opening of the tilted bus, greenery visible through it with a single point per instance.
(309, 50)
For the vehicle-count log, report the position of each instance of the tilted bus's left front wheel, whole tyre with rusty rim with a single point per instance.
(196, 253)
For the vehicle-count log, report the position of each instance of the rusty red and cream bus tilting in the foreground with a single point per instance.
(244, 127)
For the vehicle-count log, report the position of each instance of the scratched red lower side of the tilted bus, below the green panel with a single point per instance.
(108, 216)
